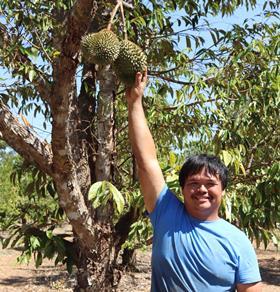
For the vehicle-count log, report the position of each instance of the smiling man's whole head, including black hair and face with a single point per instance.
(203, 179)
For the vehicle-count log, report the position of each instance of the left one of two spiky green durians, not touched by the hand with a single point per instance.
(100, 48)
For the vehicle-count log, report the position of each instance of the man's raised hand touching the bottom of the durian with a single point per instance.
(137, 90)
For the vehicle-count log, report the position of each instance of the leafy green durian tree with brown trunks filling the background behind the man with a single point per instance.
(220, 96)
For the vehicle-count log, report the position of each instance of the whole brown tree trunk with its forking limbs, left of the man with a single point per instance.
(81, 150)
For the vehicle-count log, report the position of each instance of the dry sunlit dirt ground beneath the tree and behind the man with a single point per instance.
(15, 277)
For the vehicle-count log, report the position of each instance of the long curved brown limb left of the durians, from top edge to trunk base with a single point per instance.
(66, 141)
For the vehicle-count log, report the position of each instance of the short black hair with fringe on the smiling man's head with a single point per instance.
(212, 164)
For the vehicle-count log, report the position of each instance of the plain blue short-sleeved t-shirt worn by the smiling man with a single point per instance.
(193, 255)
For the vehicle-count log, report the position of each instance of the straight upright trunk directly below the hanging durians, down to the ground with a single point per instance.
(96, 267)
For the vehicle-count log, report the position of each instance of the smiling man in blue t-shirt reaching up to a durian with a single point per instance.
(193, 249)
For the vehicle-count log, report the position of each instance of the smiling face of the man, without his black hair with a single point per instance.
(202, 195)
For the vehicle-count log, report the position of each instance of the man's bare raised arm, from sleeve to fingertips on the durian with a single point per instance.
(143, 146)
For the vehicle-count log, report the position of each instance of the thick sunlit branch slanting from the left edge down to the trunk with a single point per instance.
(23, 141)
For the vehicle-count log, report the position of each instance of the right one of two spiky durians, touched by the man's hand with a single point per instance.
(131, 60)
